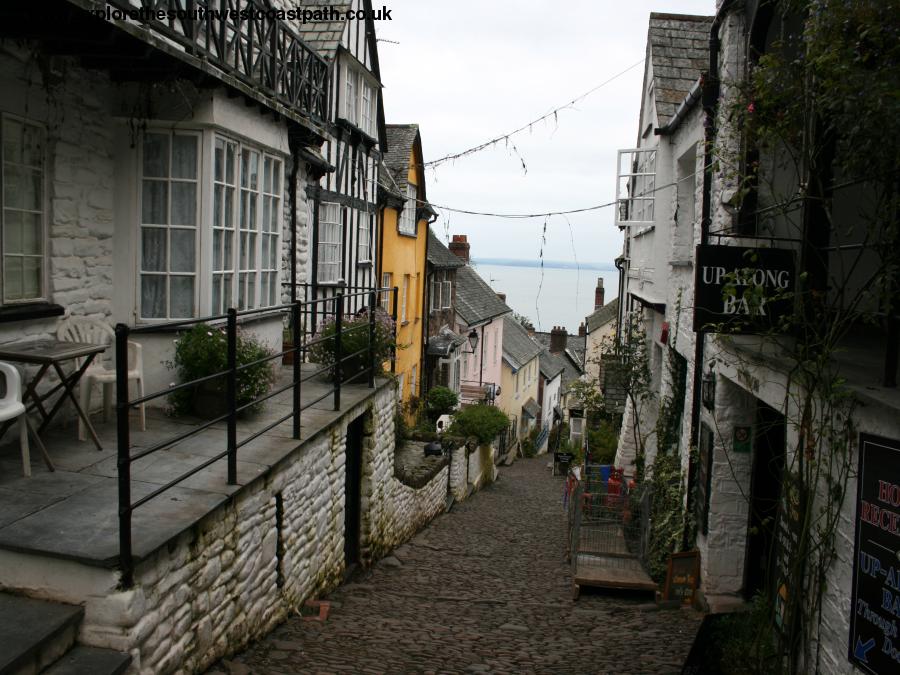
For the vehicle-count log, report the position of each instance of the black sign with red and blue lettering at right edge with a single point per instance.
(875, 613)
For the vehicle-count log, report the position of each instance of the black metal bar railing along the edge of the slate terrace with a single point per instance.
(303, 343)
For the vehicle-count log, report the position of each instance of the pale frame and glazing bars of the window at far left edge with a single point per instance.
(5, 209)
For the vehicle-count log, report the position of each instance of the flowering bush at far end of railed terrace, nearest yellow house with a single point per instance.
(354, 338)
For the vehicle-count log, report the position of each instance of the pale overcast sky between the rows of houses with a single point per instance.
(467, 71)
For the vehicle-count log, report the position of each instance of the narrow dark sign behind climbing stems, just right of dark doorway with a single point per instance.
(788, 556)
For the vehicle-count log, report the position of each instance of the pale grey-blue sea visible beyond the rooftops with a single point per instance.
(554, 296)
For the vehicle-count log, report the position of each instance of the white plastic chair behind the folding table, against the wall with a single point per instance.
(93, 331)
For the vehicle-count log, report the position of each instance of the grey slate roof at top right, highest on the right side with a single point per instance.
(678, 47)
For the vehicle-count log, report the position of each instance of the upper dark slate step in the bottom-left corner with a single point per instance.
(34, 633)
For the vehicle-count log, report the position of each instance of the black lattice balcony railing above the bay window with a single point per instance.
(246, 40)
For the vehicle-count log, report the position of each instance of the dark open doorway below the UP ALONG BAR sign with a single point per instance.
(765, 491)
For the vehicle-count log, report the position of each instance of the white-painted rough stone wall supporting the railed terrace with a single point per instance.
(245, 567)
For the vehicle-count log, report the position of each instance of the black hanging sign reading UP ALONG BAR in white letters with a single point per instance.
(761, 283)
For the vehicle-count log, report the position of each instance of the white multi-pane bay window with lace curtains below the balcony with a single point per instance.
(179, 277)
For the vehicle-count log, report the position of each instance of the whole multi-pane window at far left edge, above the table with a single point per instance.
(22, 213)
